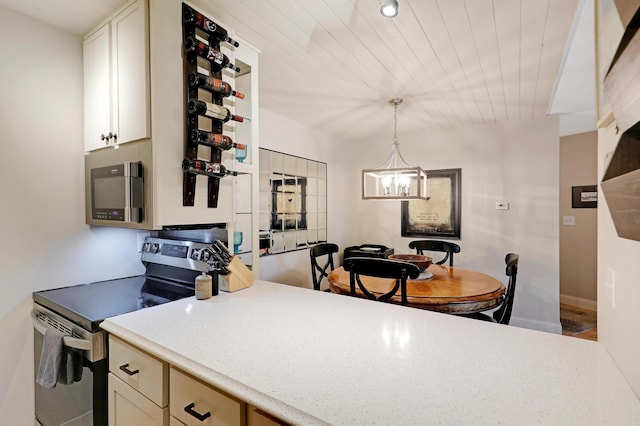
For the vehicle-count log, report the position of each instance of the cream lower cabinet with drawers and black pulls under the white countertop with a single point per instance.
(147, 391)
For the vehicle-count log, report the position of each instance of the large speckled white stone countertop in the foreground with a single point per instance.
(311, 357)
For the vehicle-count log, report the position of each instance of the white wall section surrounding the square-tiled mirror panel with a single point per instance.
(282, 134)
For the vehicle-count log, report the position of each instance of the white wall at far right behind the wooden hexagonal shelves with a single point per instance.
(618, 267)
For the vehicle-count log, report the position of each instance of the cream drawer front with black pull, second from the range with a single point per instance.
(194, 403)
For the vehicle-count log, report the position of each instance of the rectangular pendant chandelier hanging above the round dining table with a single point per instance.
(395, 179)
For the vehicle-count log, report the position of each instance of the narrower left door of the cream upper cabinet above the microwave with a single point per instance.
(97, 88)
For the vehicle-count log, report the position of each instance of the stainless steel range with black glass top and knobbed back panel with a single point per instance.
(77, 311)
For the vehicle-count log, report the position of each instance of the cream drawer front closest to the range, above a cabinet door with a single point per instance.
(141, 371)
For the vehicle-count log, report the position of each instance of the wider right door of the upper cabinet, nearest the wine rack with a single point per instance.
(130, 65)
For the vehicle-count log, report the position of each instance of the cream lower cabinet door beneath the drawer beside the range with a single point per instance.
(128, 407)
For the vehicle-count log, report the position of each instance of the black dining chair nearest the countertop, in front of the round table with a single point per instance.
(382, 268)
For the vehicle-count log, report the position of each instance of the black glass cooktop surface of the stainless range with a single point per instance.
(89, 304)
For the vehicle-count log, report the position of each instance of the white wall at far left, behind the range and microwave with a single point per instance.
(45, 243)
